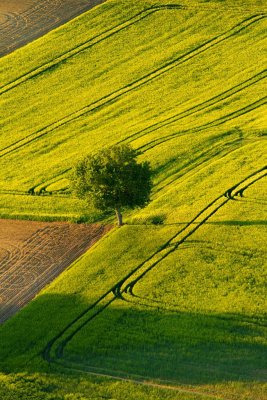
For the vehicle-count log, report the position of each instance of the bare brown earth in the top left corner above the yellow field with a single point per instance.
(22, 21)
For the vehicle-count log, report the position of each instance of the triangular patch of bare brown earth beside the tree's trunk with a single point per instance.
(32, 254)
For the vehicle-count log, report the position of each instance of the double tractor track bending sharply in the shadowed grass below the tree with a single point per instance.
(54, 350)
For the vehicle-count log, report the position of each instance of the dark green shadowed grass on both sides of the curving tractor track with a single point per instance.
(130, 341)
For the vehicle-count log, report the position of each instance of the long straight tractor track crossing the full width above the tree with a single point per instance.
(110, 98)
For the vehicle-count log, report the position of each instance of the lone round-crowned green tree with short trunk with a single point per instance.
(112, 179)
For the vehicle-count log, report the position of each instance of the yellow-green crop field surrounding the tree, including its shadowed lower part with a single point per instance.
(176, 298)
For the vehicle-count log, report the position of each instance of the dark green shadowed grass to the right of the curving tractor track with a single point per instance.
(183, 348)
